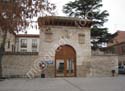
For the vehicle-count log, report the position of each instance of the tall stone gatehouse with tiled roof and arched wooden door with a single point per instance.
(66, 44)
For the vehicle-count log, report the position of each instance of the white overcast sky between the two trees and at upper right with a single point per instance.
(116, 9)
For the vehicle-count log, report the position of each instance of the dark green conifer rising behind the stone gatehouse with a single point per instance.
(90, 9)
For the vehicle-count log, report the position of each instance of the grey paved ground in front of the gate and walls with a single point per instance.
(64, 84)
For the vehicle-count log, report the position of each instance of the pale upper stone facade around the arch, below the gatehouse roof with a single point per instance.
(83, 51)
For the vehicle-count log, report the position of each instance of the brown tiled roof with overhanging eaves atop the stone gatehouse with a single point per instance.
(63, 21)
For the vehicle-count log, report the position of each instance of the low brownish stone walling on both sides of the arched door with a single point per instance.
(97, 66)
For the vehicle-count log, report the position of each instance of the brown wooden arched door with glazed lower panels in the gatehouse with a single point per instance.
(65, 61)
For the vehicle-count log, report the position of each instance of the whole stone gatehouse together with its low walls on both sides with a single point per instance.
(66, 49)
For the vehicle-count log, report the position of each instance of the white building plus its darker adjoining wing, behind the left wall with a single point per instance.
(20, 42)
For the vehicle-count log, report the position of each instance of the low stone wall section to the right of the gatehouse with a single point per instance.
(103, 65)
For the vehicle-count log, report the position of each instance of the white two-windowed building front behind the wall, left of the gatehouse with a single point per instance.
(27, 43)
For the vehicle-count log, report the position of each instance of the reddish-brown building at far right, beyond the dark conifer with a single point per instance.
(116, 44)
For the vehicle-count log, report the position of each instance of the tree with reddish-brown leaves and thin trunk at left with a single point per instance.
(16, 15)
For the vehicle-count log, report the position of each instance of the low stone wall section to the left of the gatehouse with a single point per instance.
(17, 65)
